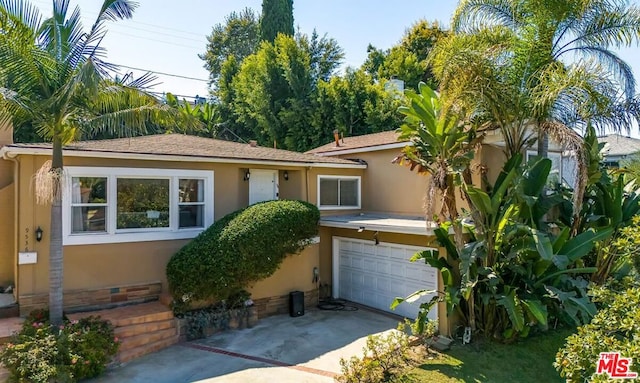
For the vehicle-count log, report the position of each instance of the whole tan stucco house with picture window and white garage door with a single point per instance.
(130, 204)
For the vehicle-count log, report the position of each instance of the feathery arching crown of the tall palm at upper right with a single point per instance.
(552, 33)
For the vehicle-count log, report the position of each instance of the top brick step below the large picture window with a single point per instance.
(129, 315)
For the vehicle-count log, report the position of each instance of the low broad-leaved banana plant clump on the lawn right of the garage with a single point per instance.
(512, 275)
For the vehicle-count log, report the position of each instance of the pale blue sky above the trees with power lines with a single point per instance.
(167, 36)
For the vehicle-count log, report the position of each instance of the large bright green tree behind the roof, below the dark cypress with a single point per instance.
(274, 91)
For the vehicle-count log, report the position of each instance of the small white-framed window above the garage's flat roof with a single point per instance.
(339, 192)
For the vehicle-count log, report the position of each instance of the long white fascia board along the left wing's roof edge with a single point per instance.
(12, 152)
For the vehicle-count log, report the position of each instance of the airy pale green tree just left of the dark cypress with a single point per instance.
(238, 36)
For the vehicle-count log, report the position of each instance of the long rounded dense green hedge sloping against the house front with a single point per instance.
(243, 247)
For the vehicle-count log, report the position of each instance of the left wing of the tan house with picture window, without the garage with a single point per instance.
(130, 204)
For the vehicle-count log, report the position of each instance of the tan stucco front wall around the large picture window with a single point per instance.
(104, 265)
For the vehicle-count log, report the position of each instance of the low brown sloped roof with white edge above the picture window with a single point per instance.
(183, 147)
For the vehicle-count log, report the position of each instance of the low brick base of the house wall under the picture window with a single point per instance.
(76, 300)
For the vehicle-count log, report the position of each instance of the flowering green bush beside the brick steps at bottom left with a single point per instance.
(73, 351)
